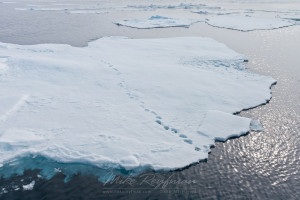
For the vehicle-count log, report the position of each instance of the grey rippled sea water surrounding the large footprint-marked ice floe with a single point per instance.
(260, 165)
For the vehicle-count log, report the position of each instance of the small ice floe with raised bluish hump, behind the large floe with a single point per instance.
(157, 22)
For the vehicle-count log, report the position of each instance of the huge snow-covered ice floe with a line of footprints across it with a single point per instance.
(126, 104)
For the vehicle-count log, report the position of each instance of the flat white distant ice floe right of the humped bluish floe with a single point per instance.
(247, 23)
